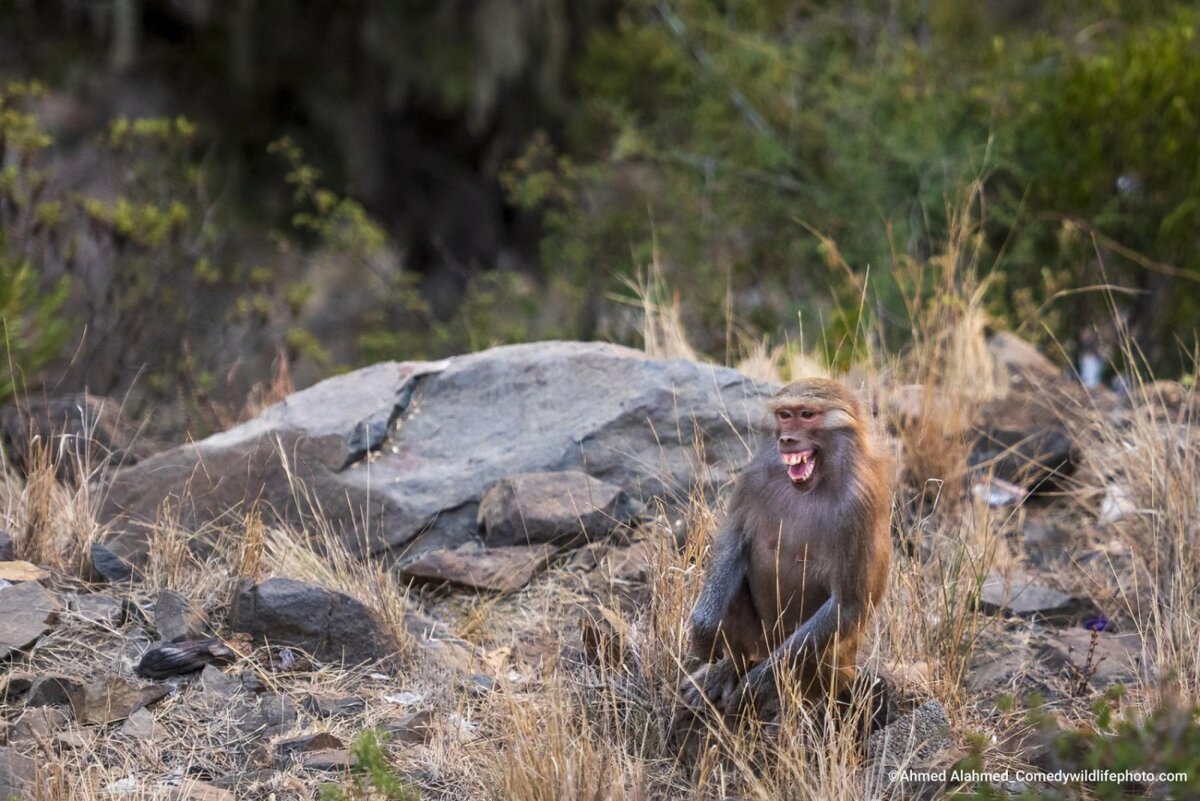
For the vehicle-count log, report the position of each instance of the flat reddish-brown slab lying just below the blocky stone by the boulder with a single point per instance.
(500, 570)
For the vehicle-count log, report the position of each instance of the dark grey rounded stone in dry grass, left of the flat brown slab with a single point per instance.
(332, 627)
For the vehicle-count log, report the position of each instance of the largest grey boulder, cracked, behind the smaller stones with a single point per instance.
(401, 453)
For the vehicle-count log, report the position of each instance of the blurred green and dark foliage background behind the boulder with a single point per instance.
(195, 196)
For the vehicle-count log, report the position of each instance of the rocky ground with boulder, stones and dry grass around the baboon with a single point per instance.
(490, 559)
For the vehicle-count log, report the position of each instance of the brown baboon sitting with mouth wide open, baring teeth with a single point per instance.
(800, 562)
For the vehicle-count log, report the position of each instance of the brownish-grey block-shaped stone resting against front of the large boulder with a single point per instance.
(565, 508)
